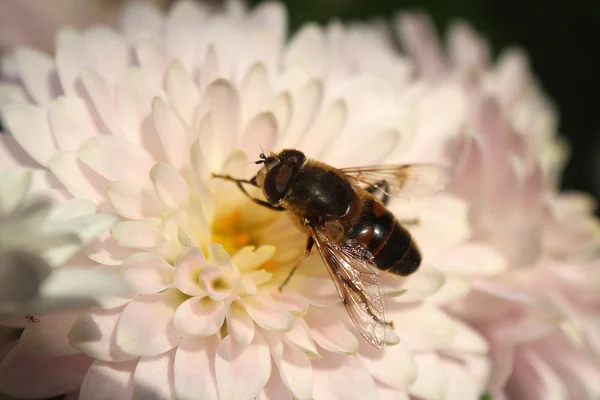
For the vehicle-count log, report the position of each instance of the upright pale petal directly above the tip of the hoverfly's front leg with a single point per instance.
(222, 102)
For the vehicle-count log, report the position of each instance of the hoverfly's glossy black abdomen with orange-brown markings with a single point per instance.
(391, 245)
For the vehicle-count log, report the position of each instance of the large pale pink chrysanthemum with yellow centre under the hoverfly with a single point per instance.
(136, 119)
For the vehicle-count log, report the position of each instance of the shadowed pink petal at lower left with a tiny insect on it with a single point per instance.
(48, 337)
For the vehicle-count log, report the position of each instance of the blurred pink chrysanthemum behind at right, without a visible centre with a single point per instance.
(541, 315)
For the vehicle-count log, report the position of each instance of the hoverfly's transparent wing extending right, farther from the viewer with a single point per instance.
(409, 180)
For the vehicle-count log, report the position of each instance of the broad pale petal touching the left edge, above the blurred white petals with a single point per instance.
(29, 126)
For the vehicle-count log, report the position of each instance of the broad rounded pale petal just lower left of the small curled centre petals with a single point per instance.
(146, 326)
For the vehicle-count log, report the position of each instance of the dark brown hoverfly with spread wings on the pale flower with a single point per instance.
(343, 212)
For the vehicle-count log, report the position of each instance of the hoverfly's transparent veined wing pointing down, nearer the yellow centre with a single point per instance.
(358, 284)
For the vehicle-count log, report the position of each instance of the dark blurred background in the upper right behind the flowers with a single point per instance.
(561, 36)
